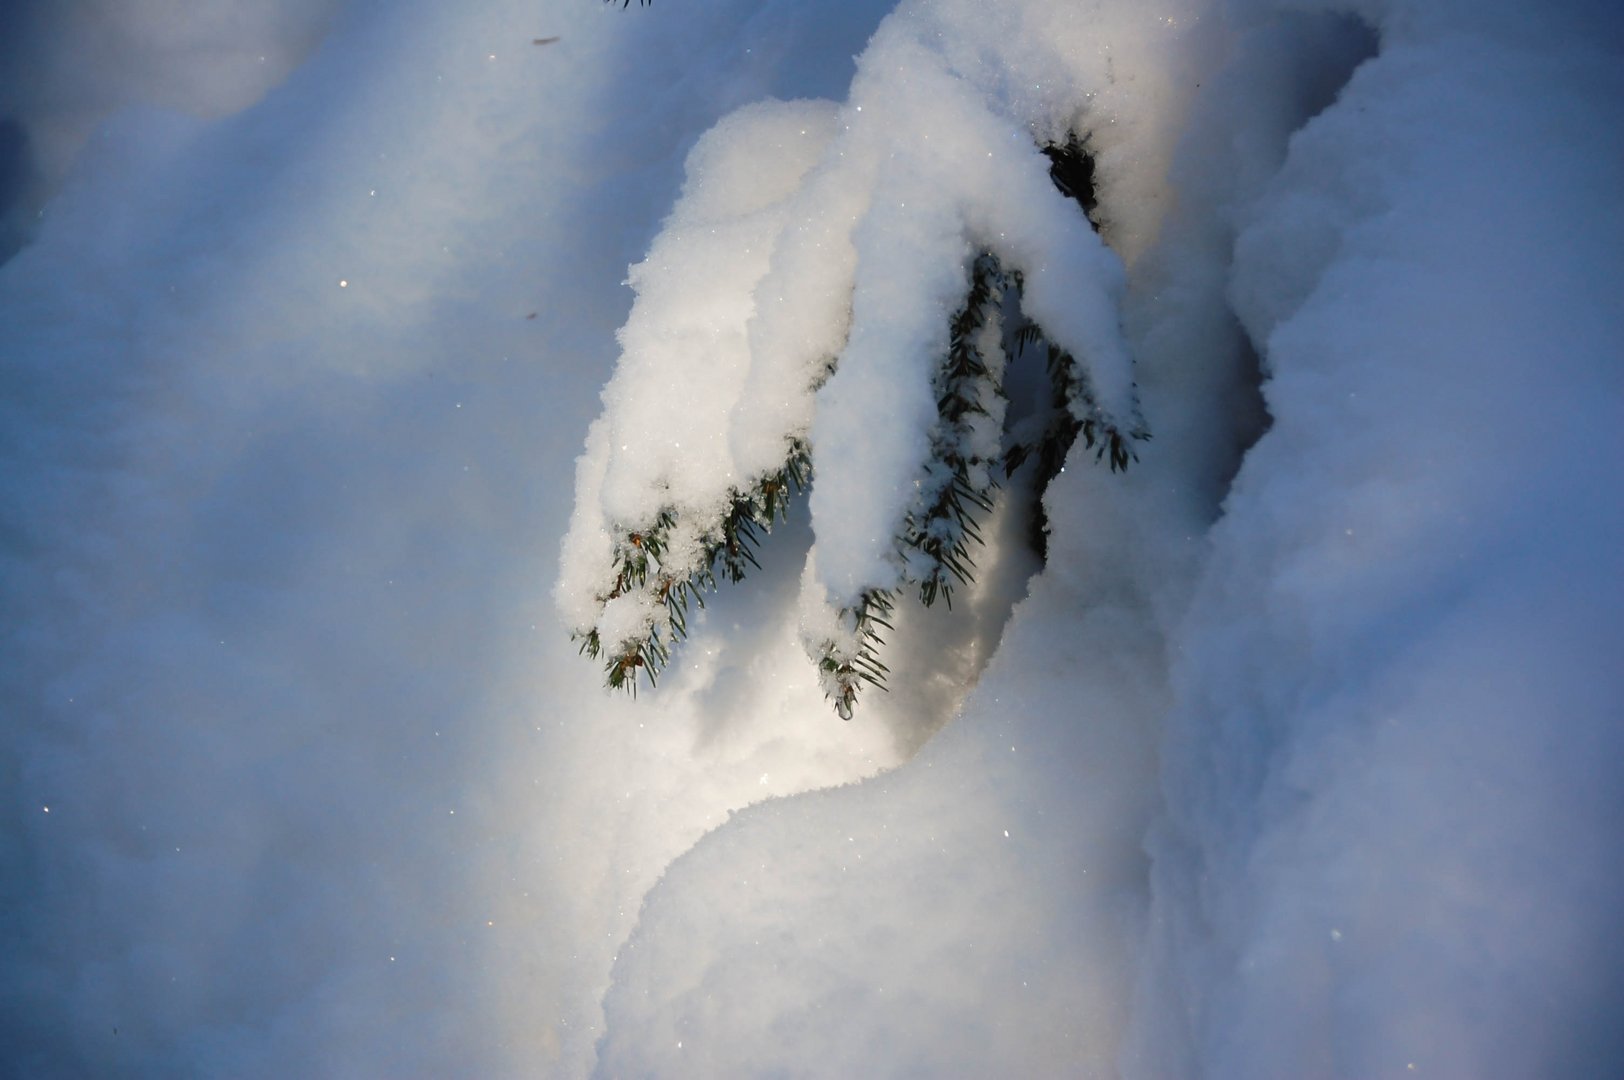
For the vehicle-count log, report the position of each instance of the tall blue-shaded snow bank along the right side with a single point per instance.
(1393, 767)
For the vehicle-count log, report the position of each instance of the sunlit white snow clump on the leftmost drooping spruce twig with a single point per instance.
(662, 441)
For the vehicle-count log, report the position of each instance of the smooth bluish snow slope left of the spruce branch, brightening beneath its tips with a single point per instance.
(298, 775)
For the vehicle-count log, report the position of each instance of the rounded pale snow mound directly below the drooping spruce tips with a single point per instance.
(972, 914)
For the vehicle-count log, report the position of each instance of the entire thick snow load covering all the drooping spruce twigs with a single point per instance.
(798, 308)
